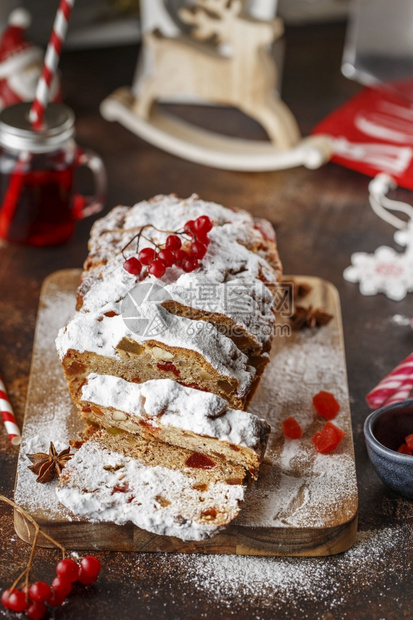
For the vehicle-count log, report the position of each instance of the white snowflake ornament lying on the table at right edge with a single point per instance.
(386, 271)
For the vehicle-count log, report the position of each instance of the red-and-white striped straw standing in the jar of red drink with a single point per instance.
(51, 61)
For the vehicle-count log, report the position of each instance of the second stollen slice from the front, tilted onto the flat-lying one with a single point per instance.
(169, 412)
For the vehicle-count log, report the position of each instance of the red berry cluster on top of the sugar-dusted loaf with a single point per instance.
(172, 253)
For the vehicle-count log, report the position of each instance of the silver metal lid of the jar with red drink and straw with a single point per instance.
(16, 131)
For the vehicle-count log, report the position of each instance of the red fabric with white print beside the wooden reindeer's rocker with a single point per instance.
(373, 133)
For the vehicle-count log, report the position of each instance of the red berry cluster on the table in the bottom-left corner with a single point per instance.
(33, 603)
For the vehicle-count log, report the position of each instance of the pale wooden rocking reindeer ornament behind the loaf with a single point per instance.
(243, 75)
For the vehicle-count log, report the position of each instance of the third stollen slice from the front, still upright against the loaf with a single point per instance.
(193, 354)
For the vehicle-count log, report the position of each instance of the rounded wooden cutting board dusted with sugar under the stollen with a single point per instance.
(304, 503)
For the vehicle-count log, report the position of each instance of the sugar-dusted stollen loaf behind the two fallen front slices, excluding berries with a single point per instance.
(214, 328)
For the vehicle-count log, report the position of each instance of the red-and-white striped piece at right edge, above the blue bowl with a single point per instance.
(394, 385)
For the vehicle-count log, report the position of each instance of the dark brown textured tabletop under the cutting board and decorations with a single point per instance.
(321, 217)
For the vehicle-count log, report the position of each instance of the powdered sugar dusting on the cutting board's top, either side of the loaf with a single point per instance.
(299, 489)
